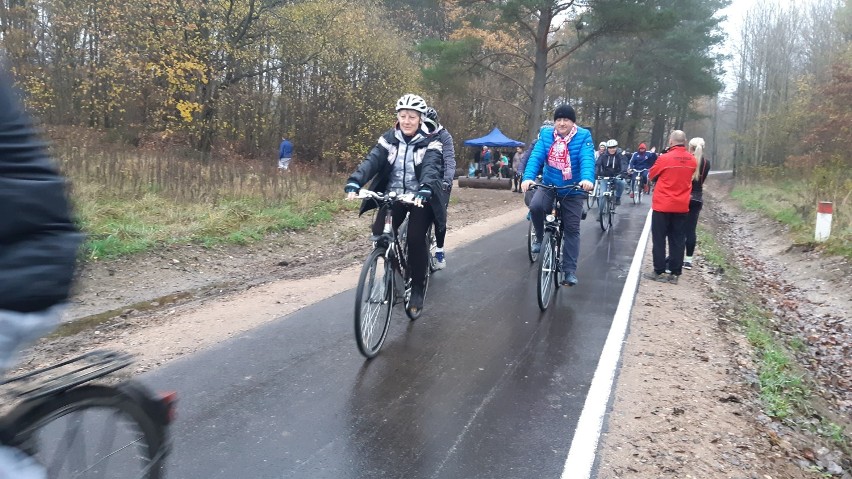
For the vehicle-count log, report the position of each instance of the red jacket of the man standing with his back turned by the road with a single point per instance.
(673, 173)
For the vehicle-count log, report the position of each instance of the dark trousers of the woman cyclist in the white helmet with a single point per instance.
(418, 222)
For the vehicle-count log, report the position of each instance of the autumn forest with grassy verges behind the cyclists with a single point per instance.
(166, 114)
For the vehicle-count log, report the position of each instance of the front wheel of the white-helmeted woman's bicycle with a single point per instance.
(369, 339)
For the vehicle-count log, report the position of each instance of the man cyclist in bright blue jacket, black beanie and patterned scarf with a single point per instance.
(565, 156)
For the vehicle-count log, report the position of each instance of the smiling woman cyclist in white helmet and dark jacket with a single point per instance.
(407, 160)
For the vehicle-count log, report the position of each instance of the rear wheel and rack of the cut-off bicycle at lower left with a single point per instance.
(75, 428)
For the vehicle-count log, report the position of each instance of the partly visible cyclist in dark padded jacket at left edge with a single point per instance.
(38, 247)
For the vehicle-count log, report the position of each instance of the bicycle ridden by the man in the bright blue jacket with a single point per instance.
(550, 257)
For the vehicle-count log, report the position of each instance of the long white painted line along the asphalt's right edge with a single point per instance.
(581, 455)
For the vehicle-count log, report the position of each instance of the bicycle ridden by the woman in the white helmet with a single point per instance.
(385, 278)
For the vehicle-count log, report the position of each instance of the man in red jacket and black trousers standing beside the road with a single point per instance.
(673, 173)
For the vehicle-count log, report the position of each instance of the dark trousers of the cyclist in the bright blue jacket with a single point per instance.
(572, 213)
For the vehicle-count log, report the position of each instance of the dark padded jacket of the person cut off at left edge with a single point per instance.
(38, 240)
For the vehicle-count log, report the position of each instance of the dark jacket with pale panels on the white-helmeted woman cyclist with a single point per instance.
(427, 157)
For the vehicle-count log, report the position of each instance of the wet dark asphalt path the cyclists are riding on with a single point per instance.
(483, 385)
